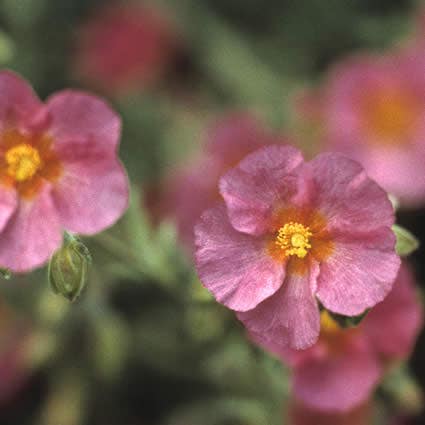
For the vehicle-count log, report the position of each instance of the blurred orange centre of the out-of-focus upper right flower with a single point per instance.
(390, 115)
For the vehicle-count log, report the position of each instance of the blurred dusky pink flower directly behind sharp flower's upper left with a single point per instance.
(194, 188)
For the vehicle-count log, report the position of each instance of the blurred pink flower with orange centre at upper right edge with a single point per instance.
(371, 108)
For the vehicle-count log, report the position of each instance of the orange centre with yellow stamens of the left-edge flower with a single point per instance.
(27, 162)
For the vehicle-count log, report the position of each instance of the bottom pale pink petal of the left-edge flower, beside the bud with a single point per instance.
(31, 235)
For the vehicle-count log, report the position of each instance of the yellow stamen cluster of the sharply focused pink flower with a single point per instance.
(294, 239)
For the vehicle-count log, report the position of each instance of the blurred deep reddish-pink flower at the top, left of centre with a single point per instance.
(126, 46)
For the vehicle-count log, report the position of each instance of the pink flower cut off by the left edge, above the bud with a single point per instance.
(58, 170)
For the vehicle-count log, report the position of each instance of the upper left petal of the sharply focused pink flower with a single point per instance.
(257, 184)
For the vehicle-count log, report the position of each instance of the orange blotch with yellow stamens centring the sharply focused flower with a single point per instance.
(299, 236)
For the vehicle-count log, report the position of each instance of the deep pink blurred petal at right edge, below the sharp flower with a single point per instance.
(393, 325)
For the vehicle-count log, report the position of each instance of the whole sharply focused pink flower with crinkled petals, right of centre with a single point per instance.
(290, 232)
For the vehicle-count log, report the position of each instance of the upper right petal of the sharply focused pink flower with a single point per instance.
(347, 197)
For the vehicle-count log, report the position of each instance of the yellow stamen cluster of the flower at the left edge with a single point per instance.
(23, 162)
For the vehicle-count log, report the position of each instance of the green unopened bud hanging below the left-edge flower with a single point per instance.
(68, 268)
